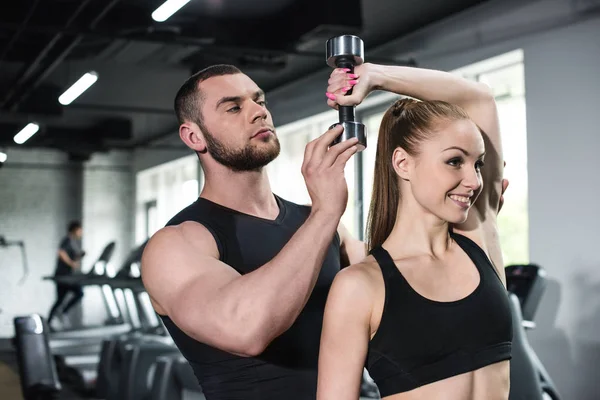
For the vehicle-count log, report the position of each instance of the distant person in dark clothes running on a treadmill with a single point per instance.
(68, 262)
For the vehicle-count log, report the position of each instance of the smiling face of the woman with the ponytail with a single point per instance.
(445, 176)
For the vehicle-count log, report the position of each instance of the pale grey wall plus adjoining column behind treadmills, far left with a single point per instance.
(40, 192)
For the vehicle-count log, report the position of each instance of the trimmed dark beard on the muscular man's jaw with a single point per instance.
(247, 158)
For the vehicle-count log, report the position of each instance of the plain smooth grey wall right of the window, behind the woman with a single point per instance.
(561, 75)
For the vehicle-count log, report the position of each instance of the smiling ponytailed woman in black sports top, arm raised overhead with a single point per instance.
(427, 311)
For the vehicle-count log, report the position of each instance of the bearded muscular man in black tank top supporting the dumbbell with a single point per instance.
(241, 276)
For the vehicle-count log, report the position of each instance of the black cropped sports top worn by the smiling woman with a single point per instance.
(420, 341)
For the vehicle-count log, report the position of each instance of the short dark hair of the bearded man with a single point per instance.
(188, 99)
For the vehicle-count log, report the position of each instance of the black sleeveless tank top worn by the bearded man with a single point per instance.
(287, 369)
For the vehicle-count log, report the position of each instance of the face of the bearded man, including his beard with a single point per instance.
(237, 127)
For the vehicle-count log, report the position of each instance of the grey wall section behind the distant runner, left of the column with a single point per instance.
(40, 192)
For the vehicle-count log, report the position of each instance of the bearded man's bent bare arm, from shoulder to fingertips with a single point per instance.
(242, 314)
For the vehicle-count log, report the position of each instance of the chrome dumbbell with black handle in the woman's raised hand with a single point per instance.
(347, 51)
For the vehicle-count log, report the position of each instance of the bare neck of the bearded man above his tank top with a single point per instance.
(246, 192)
